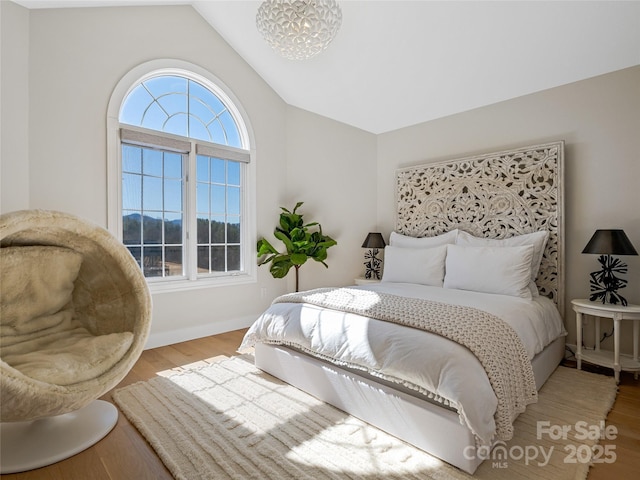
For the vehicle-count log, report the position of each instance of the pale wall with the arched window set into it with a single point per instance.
(76, 59)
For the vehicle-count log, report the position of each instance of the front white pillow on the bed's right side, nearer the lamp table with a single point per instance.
(500, 270)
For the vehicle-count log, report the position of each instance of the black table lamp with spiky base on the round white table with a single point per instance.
(604, 283)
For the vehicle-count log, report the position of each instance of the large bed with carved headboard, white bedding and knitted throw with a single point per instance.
(464, 327)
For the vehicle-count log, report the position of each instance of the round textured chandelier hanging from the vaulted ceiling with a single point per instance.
(299, 29)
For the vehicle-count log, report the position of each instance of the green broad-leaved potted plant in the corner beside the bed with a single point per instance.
(301, 241)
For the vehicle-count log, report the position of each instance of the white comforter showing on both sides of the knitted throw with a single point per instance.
(428, 363)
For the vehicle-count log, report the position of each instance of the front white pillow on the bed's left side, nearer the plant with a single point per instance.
(414, 265)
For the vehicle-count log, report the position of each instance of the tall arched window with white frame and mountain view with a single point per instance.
(183, 203)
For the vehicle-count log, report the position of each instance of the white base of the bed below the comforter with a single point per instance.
(406, 415)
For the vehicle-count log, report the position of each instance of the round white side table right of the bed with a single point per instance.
(618, 313)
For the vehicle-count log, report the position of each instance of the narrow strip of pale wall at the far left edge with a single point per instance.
(14, 99)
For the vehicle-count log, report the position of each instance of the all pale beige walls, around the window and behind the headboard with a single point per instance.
(59, 68)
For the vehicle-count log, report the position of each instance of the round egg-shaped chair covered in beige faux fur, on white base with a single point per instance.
(75, 315)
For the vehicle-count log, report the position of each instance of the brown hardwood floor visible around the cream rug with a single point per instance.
(124, 454)
